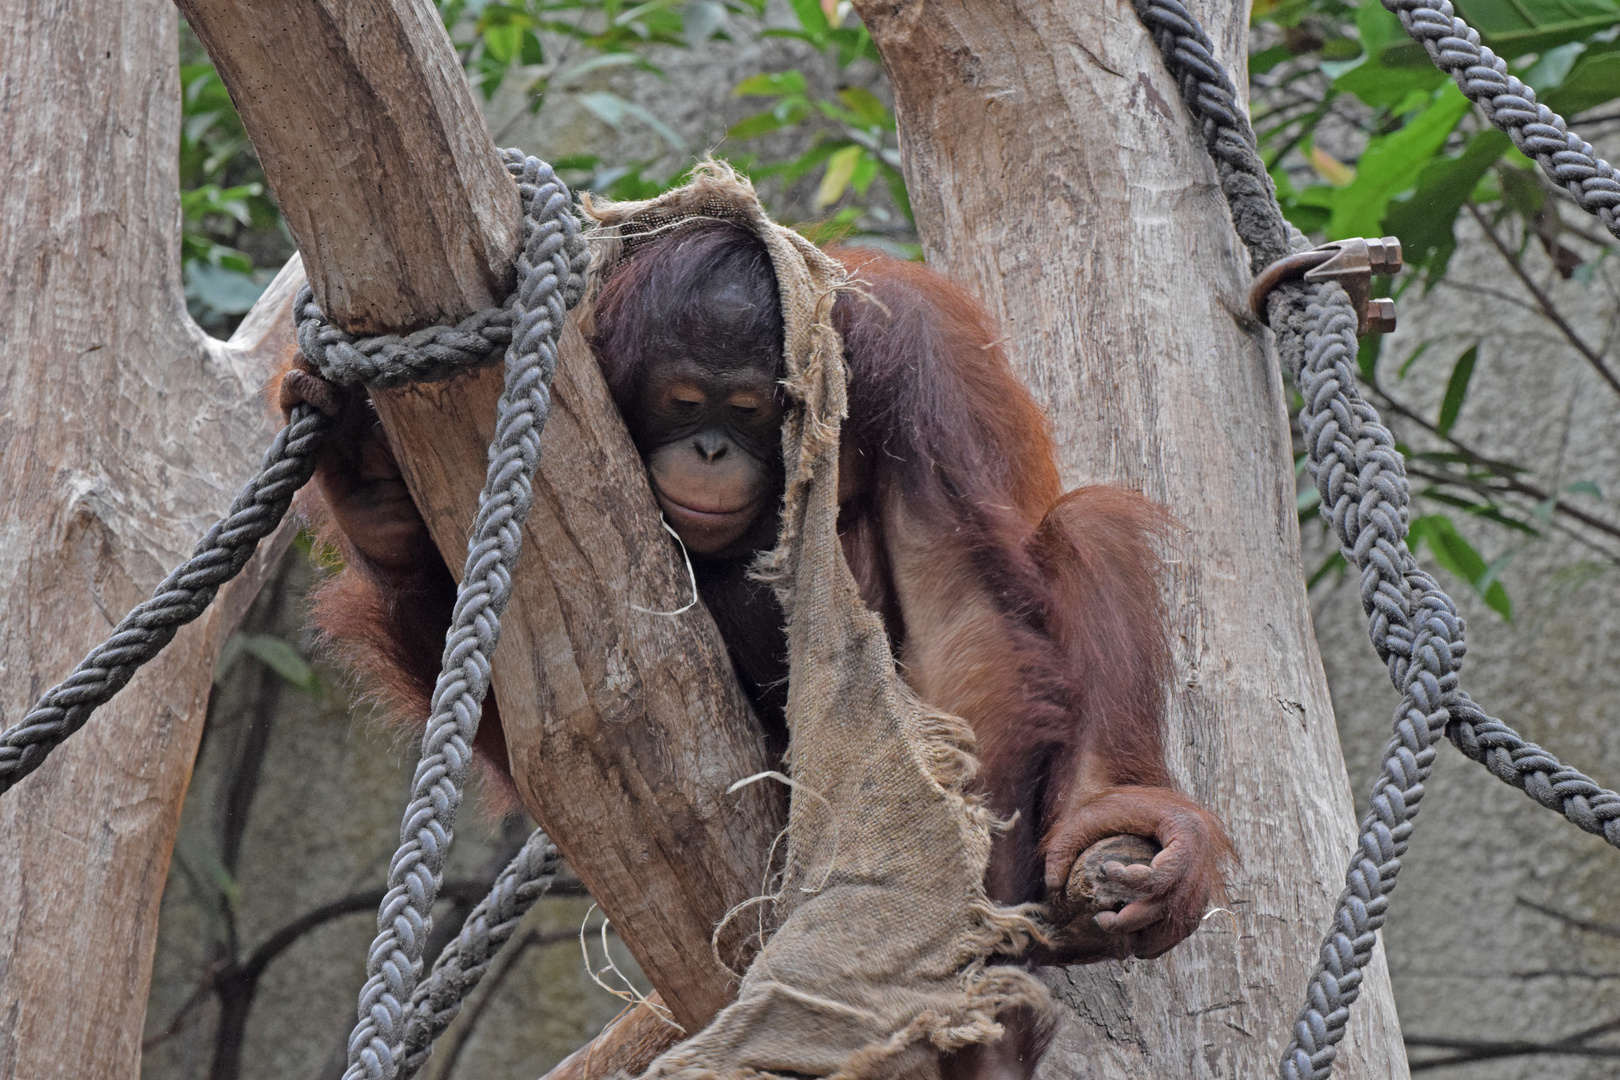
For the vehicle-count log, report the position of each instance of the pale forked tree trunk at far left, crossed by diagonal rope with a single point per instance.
(124, 435)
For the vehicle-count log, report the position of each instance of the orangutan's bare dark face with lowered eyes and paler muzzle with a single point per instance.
(712, 443)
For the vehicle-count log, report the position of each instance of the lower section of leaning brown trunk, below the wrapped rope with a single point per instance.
(625, 728)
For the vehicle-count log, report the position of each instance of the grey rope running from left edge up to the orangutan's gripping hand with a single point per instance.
(181, 598)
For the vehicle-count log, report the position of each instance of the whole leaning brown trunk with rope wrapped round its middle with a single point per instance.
(626, 729)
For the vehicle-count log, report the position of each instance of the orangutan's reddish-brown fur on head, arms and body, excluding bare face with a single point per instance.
(1038, 616)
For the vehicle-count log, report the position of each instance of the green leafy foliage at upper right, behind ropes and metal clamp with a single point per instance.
(1365, 137)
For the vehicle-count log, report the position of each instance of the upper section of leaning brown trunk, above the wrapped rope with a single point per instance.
(375, 150)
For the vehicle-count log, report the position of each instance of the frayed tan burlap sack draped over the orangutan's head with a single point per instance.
(884, 929)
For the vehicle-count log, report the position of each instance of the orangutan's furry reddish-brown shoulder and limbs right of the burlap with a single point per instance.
(1067, 652)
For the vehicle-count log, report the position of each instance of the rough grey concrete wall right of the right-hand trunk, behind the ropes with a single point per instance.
(1467, 956)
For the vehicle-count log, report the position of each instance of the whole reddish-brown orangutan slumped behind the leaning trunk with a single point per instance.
(1031, 613)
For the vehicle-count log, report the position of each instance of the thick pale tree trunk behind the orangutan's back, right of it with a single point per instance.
(1055, 172)
